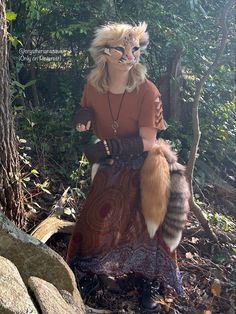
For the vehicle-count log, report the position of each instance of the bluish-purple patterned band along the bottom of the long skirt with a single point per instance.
(150, 262)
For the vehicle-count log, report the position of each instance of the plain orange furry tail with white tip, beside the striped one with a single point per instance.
(154, 184)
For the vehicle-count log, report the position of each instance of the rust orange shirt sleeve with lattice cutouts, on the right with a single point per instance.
(151, 111)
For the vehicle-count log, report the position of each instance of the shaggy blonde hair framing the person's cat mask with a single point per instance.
(110, 35)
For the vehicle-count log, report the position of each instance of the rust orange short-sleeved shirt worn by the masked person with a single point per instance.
(140, 108)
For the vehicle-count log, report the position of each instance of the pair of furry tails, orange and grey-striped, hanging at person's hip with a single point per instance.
(165, 194)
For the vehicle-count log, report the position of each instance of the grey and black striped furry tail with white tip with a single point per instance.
(178, 207)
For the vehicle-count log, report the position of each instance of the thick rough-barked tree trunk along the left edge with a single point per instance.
(11, 195)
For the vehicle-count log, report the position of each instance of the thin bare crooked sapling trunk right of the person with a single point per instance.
(195, 118)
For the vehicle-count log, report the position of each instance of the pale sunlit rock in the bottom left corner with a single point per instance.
(14, 297)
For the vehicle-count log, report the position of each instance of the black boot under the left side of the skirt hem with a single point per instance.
(88, 284)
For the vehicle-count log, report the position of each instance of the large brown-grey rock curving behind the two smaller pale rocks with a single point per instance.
(33, 258)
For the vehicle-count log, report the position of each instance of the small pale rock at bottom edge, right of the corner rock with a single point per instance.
(49, 298)
